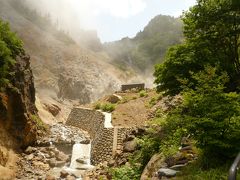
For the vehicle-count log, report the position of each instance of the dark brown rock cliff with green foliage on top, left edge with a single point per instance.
(18, 113)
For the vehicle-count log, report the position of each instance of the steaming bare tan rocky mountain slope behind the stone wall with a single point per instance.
(61, 67)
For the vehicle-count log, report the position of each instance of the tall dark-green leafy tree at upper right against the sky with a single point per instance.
(212, 36)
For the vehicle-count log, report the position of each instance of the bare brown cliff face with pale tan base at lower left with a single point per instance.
(20, 125)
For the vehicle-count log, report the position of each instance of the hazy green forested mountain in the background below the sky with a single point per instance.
(149, 46)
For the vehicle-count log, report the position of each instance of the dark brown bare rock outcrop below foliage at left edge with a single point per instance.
(18, 113)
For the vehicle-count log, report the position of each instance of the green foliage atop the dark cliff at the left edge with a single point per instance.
(10, 47)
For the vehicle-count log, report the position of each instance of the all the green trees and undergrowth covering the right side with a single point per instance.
(204, 71)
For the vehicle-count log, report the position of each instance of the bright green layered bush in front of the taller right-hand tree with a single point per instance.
(210, 115)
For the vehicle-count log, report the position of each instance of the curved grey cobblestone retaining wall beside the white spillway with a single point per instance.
(102, 138)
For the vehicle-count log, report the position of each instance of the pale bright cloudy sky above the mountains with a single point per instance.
(112, 19)
